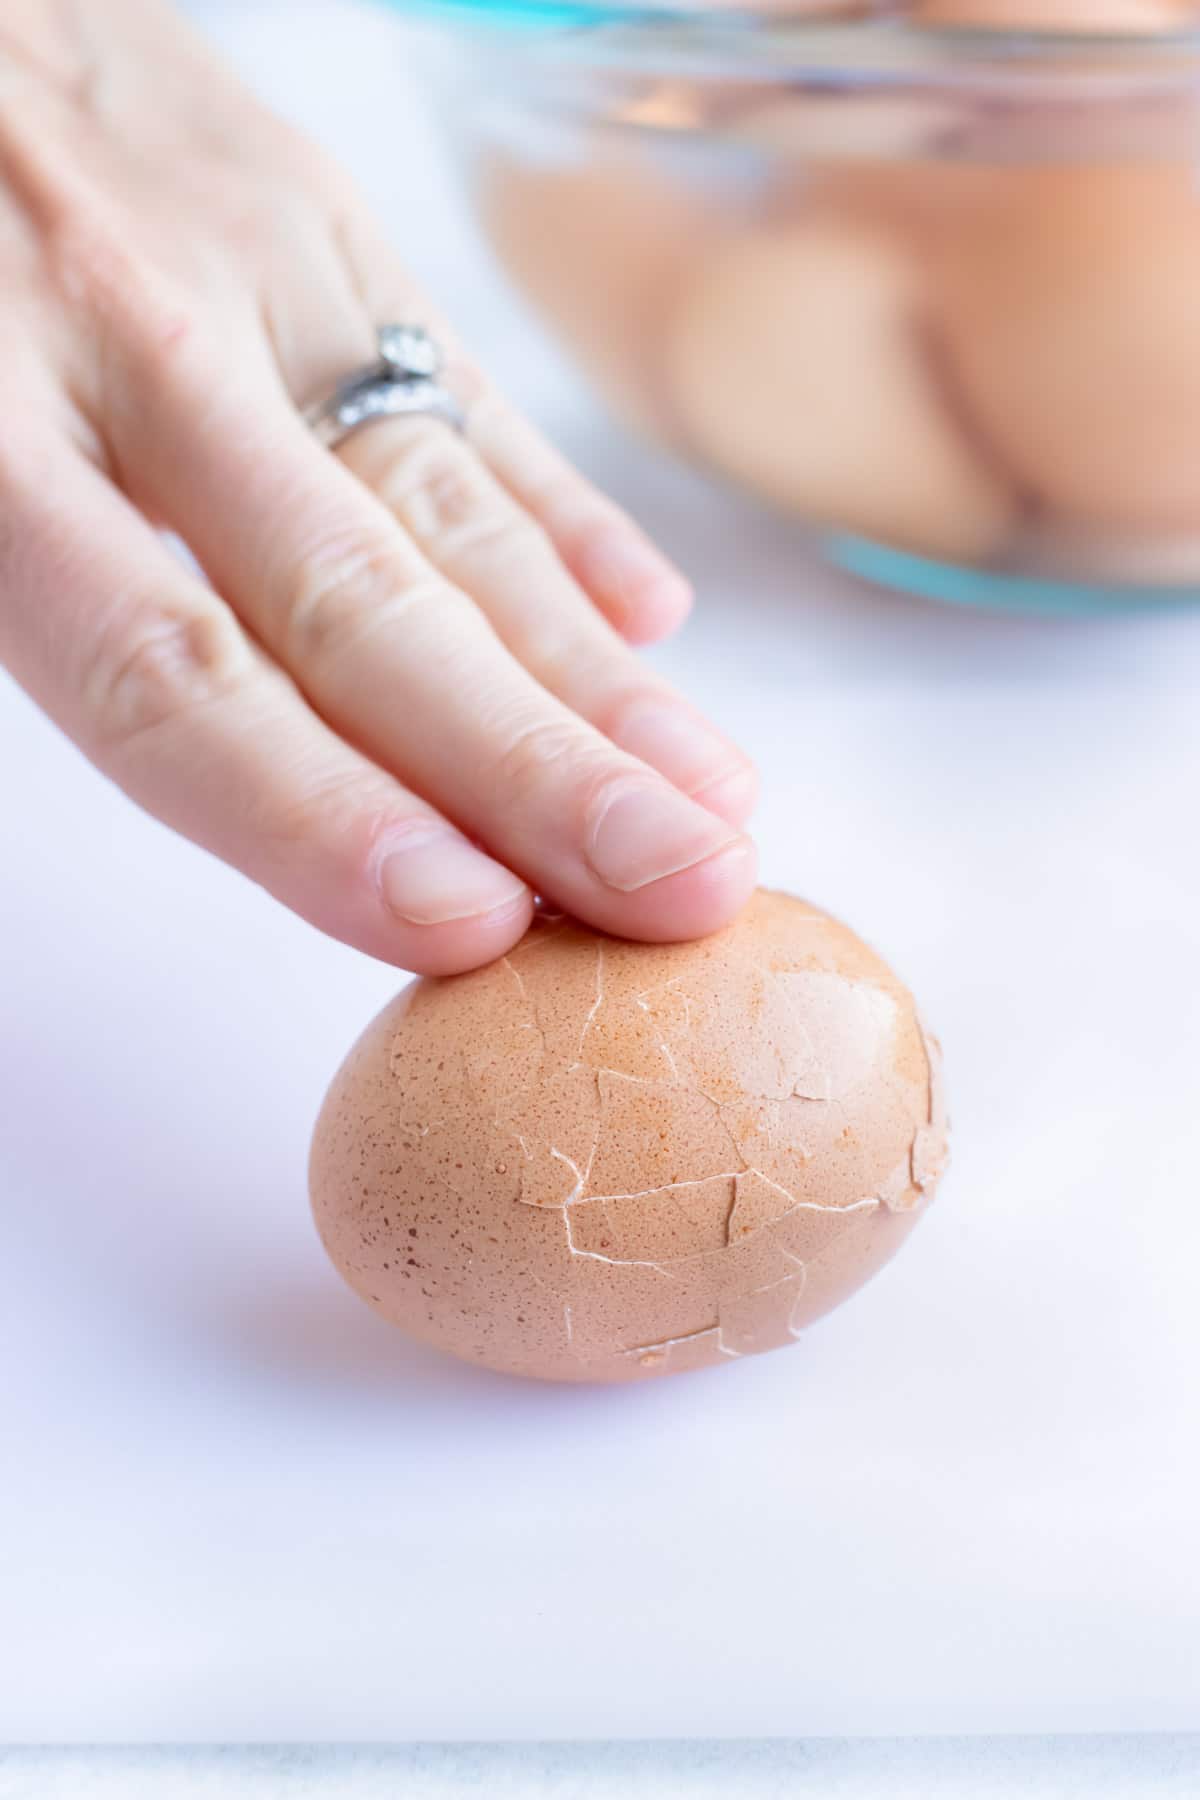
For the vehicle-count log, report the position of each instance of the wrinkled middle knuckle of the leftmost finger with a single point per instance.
(168, 667)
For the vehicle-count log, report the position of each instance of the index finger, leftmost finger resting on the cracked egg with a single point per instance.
(161, 687)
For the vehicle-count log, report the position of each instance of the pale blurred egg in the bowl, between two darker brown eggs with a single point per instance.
(800, 363)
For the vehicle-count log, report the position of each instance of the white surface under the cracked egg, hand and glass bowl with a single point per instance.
(238, 1507)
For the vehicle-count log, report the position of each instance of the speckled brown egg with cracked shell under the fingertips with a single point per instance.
(602, 1162)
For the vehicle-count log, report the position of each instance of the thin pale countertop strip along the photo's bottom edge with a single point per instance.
(1046, 1768)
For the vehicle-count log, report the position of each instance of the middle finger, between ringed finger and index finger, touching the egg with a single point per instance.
(406, 665)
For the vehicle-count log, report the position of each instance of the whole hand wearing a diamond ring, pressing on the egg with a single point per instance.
(407, 701)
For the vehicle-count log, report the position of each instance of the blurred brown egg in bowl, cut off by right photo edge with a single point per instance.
(1073, 323)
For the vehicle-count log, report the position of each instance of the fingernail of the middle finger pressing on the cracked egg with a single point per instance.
(643, 831)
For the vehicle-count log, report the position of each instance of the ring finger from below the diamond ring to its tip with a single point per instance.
(472, 530)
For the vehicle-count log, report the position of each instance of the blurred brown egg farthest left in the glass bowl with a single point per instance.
(600, 247)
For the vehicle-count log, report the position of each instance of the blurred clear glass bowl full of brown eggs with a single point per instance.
(931, 291)
